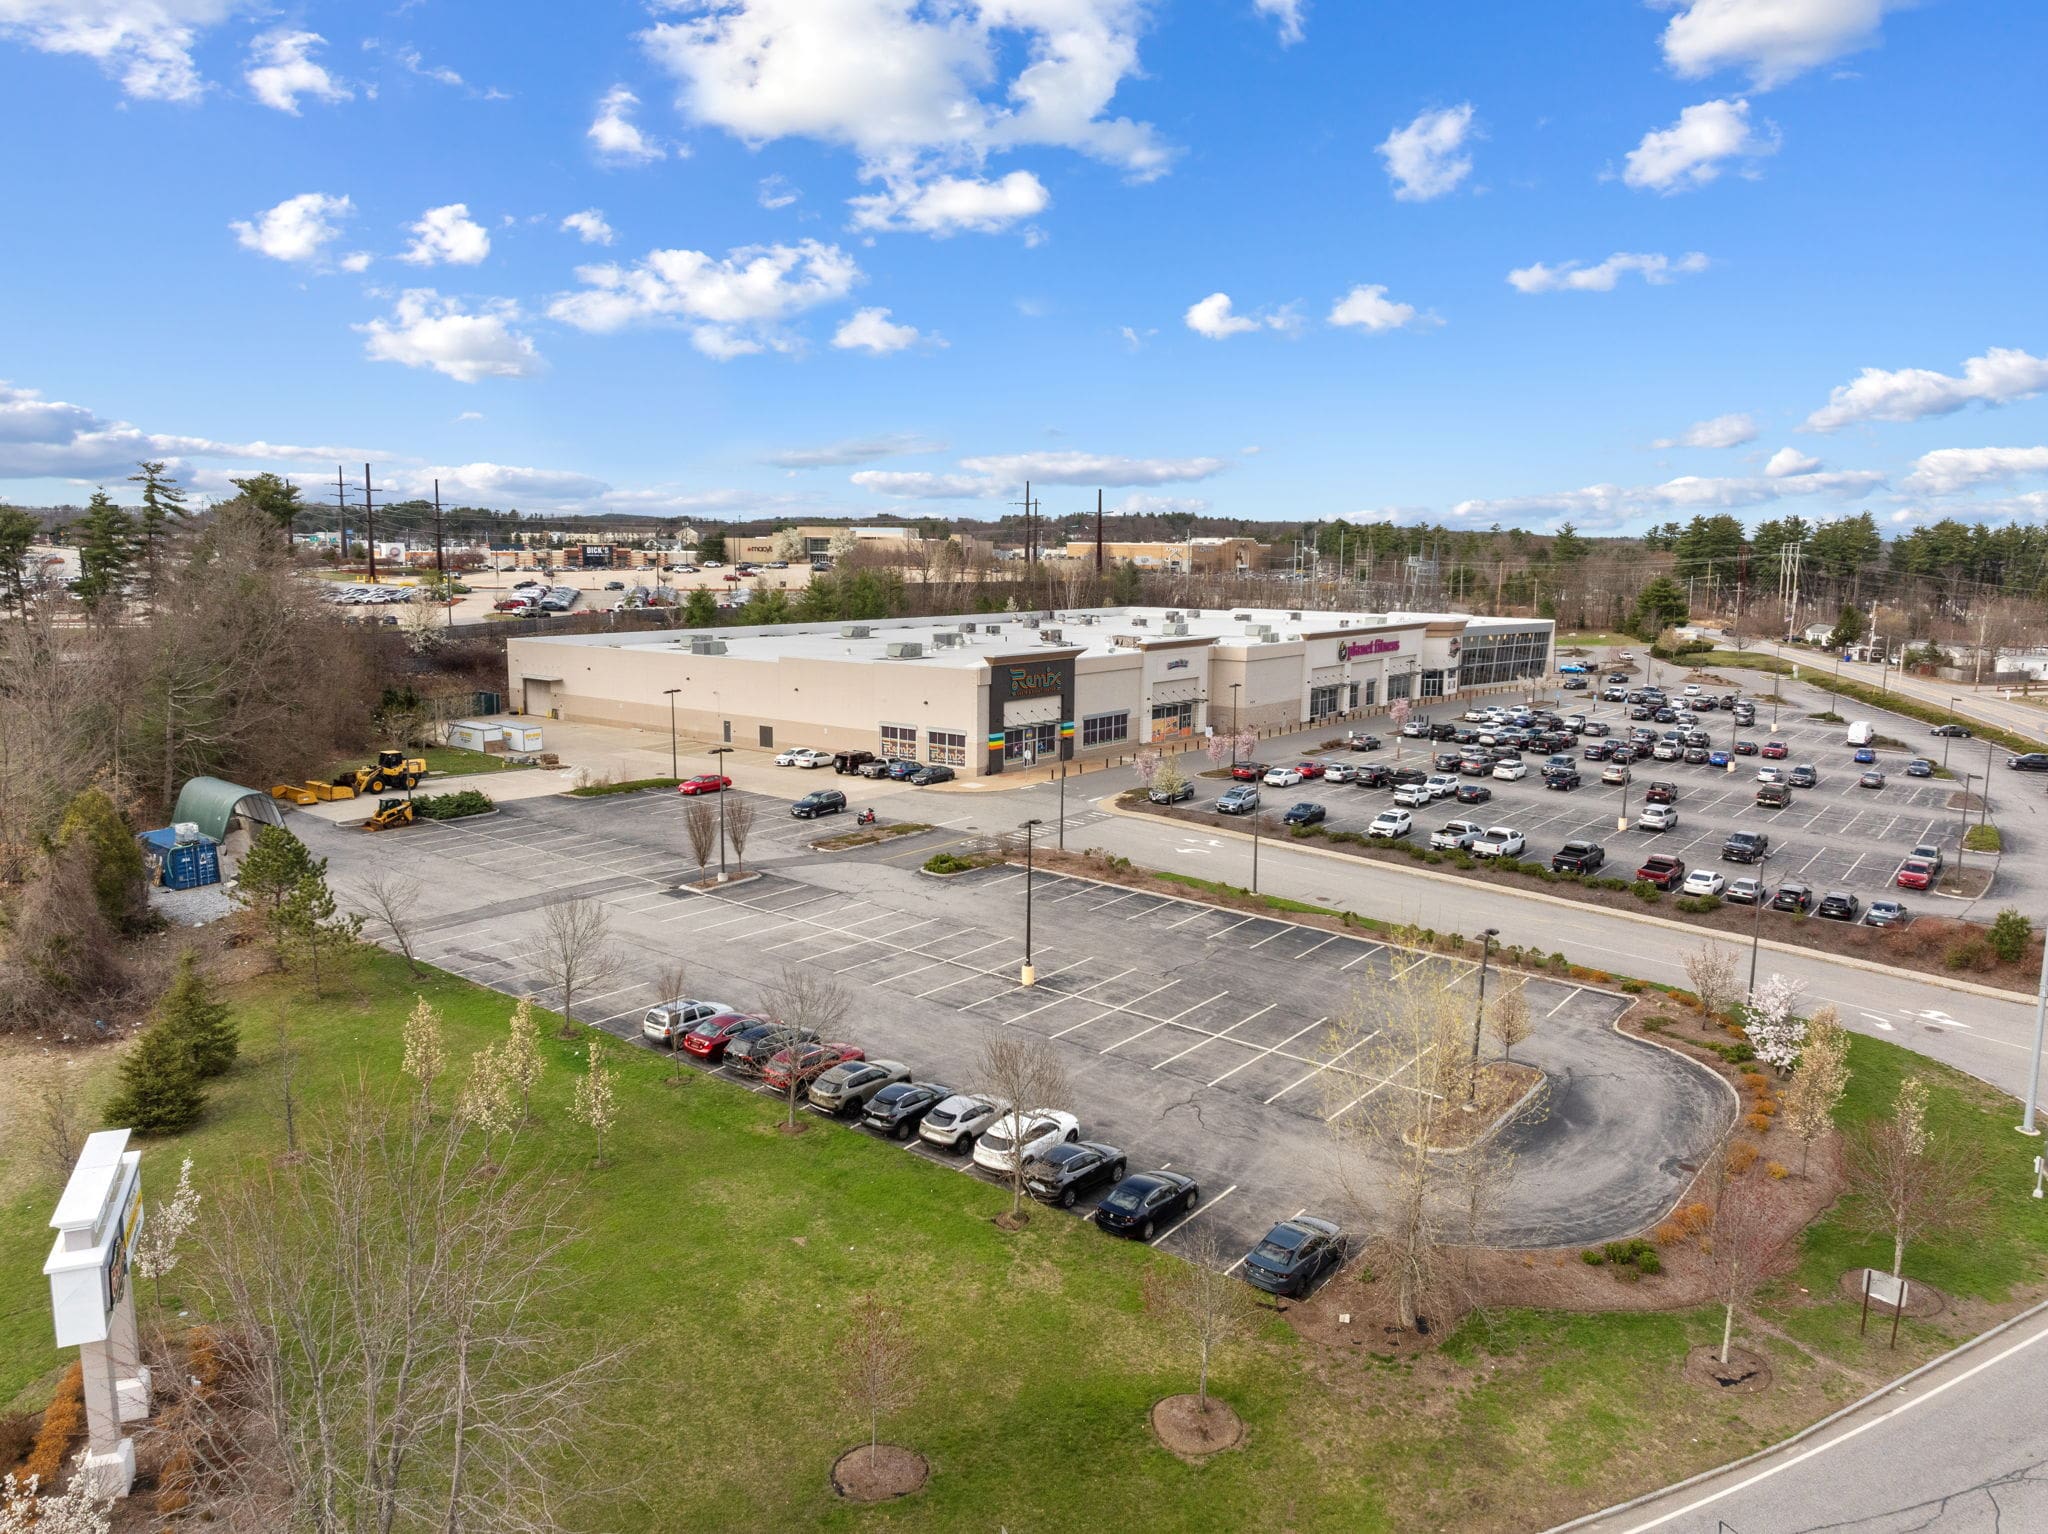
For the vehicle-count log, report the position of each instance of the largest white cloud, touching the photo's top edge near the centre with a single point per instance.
(906, 83)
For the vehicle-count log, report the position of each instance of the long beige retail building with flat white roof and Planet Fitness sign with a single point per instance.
(990, 691)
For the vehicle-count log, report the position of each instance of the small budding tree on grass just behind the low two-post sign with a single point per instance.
(1910, 1183)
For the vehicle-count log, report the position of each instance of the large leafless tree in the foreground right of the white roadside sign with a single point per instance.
(425, 1379)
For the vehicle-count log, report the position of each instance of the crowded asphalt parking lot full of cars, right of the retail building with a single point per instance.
(1832, 837)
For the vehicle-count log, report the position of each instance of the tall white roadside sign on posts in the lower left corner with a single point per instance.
(93, 1302)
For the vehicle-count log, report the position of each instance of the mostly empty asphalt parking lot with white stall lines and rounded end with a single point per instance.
(1195, 1037)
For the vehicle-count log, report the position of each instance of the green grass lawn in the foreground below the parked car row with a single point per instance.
(710, 1232)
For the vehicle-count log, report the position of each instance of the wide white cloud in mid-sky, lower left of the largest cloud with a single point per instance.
(732, 306)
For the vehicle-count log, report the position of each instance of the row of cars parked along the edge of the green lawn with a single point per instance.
(1046, 1144)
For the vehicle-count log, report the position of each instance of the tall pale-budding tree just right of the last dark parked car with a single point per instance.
(1400, 1089)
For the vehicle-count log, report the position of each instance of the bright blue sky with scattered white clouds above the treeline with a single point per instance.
(1277, 259)
